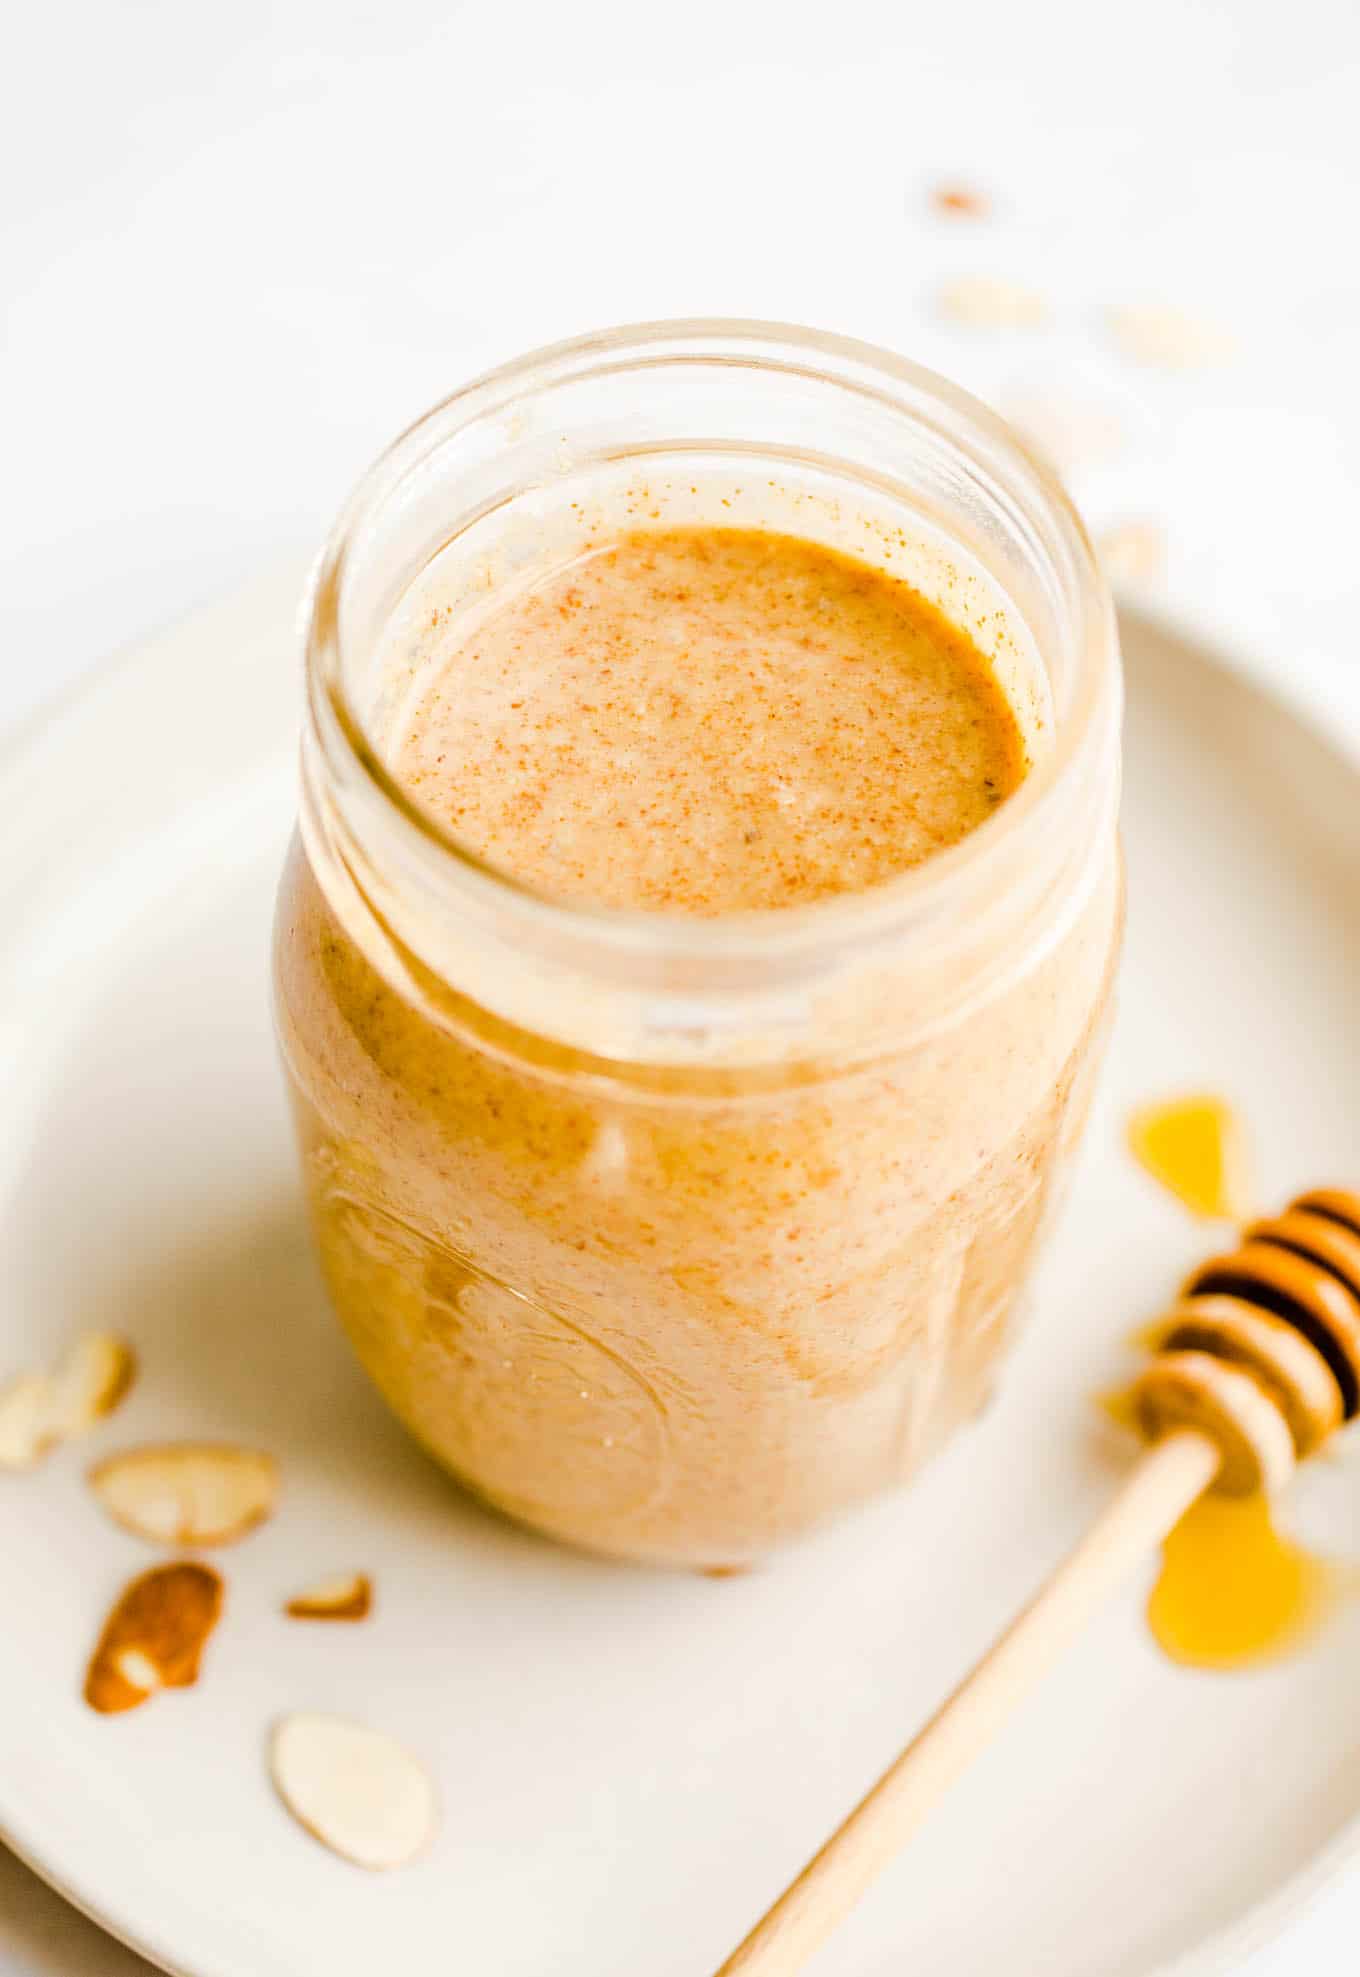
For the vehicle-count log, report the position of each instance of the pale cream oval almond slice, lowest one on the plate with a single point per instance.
(355, 1790)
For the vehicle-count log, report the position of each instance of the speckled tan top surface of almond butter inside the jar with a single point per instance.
(711, 721)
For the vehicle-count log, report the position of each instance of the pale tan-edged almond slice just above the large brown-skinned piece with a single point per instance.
(187, 1492)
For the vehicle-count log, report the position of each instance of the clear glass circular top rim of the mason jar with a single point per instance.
(918, 899)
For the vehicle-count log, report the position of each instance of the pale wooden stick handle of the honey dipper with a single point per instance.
(1159, 1492)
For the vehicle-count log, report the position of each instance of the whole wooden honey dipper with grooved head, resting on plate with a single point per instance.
(1256, 1369)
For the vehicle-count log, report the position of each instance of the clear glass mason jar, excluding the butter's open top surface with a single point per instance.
(673, 1237)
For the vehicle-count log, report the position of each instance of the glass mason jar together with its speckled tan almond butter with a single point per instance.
(697, 956)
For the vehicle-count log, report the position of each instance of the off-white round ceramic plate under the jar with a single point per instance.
(630, 1764)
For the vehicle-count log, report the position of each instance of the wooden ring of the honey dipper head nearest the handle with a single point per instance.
(1229, 1407)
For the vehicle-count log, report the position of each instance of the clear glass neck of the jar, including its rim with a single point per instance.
(849, 430)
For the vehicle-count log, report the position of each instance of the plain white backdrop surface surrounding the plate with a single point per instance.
(242, 246)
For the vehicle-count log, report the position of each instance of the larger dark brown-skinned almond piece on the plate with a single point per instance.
(155, 1636)
